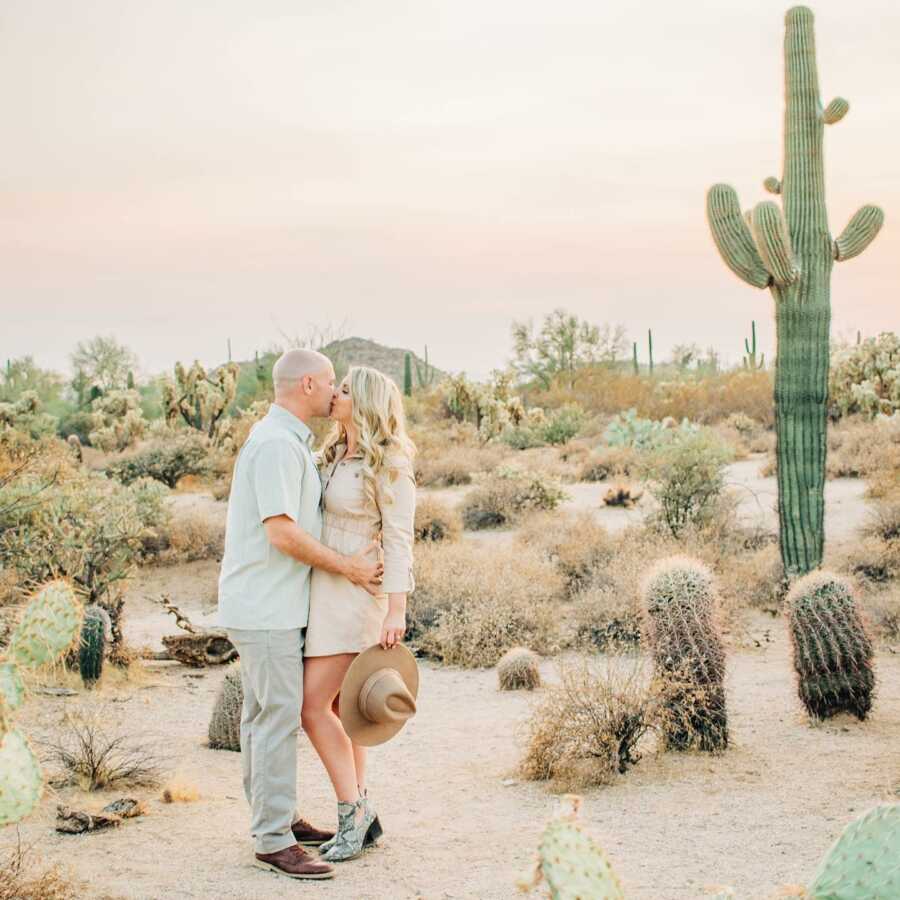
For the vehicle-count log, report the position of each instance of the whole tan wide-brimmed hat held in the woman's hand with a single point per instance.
(378, 694)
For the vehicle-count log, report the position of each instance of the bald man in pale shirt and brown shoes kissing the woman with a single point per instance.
(271, 544)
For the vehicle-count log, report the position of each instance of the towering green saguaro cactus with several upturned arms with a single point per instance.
(792, 253)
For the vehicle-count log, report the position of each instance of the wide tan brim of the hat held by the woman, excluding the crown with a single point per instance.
(360, 730)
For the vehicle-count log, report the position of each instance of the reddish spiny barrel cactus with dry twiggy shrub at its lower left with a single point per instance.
(679, 605)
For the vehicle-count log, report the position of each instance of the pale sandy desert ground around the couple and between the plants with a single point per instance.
(458, 823)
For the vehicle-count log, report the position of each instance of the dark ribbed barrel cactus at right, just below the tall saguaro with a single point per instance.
(832, 651)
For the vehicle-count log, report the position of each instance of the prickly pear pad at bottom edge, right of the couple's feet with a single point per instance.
(572, 863)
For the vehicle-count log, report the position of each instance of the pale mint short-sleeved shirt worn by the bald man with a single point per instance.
(274, 474)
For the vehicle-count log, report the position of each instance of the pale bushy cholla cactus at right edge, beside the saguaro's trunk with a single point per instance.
(865, 378)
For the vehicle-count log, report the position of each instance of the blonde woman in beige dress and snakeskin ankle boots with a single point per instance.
(368, 489)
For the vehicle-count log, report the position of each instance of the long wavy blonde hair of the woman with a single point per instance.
(380, 423)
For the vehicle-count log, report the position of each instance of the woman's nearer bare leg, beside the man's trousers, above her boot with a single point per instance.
(322, 677)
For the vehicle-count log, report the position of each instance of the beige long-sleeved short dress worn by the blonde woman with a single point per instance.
(344, 618)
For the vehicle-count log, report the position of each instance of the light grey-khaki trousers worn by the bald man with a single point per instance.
(272, 679)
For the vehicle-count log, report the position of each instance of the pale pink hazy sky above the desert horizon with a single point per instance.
(177, 174)
